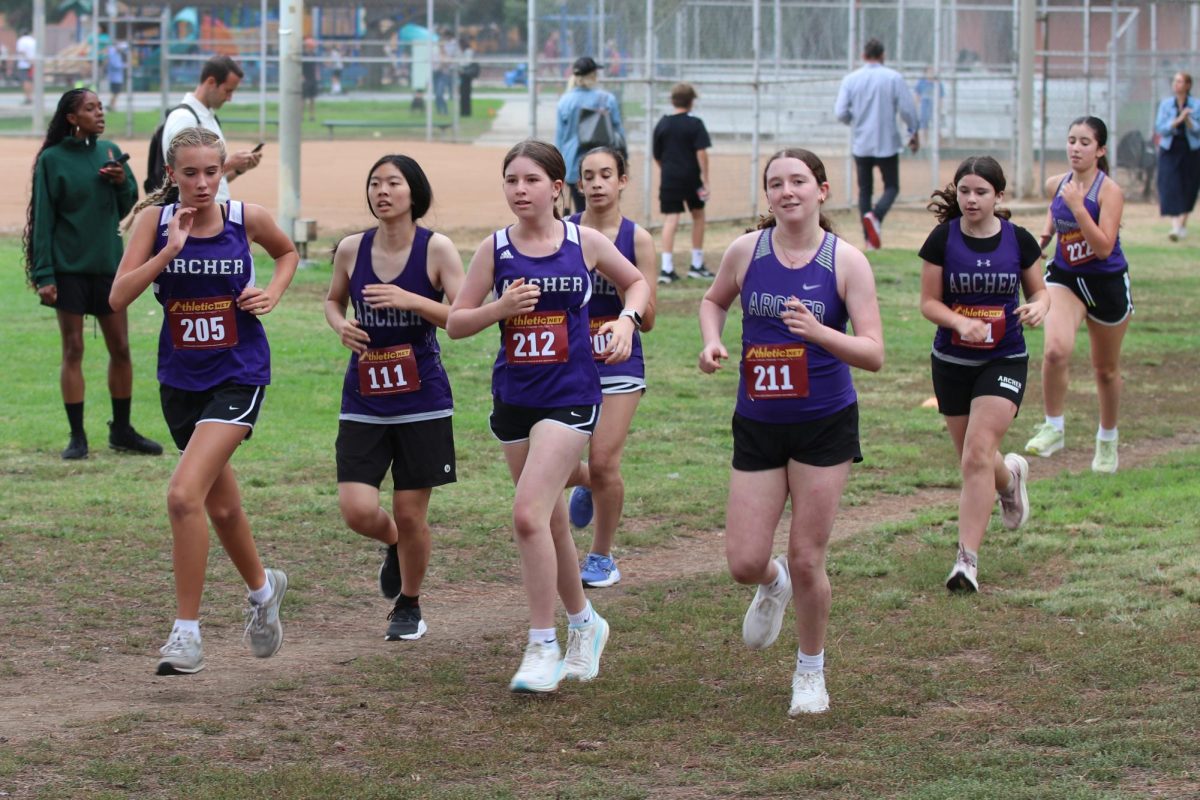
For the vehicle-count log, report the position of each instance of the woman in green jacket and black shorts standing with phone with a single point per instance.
(82, 189)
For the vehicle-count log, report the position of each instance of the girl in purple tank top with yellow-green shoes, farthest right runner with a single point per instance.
(1089, 280)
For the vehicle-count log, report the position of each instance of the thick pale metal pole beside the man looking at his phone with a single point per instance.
(291, 112)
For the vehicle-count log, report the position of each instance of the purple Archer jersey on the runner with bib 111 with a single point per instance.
(389, 328)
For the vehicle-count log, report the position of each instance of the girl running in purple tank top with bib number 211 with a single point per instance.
(799, 286)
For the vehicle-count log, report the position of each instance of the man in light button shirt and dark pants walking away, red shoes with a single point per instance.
(869, 100)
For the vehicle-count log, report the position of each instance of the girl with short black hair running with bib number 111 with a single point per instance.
(397, 404)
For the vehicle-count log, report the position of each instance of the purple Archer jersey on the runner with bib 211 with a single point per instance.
(770, 376)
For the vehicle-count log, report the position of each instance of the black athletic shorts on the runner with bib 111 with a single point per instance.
(419, 454)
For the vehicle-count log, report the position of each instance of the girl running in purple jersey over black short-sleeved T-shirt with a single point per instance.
(976, 266)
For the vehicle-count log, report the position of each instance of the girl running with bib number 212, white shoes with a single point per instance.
(547, 390)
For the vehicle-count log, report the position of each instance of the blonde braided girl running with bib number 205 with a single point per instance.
(214, 366)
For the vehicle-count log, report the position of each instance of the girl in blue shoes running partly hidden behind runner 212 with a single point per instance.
(598, 483)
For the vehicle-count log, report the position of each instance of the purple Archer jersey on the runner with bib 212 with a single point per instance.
(545, 359)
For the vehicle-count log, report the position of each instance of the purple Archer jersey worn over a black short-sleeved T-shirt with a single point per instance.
(982, 286)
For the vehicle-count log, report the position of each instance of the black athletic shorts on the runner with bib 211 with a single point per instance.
(827, 442)
